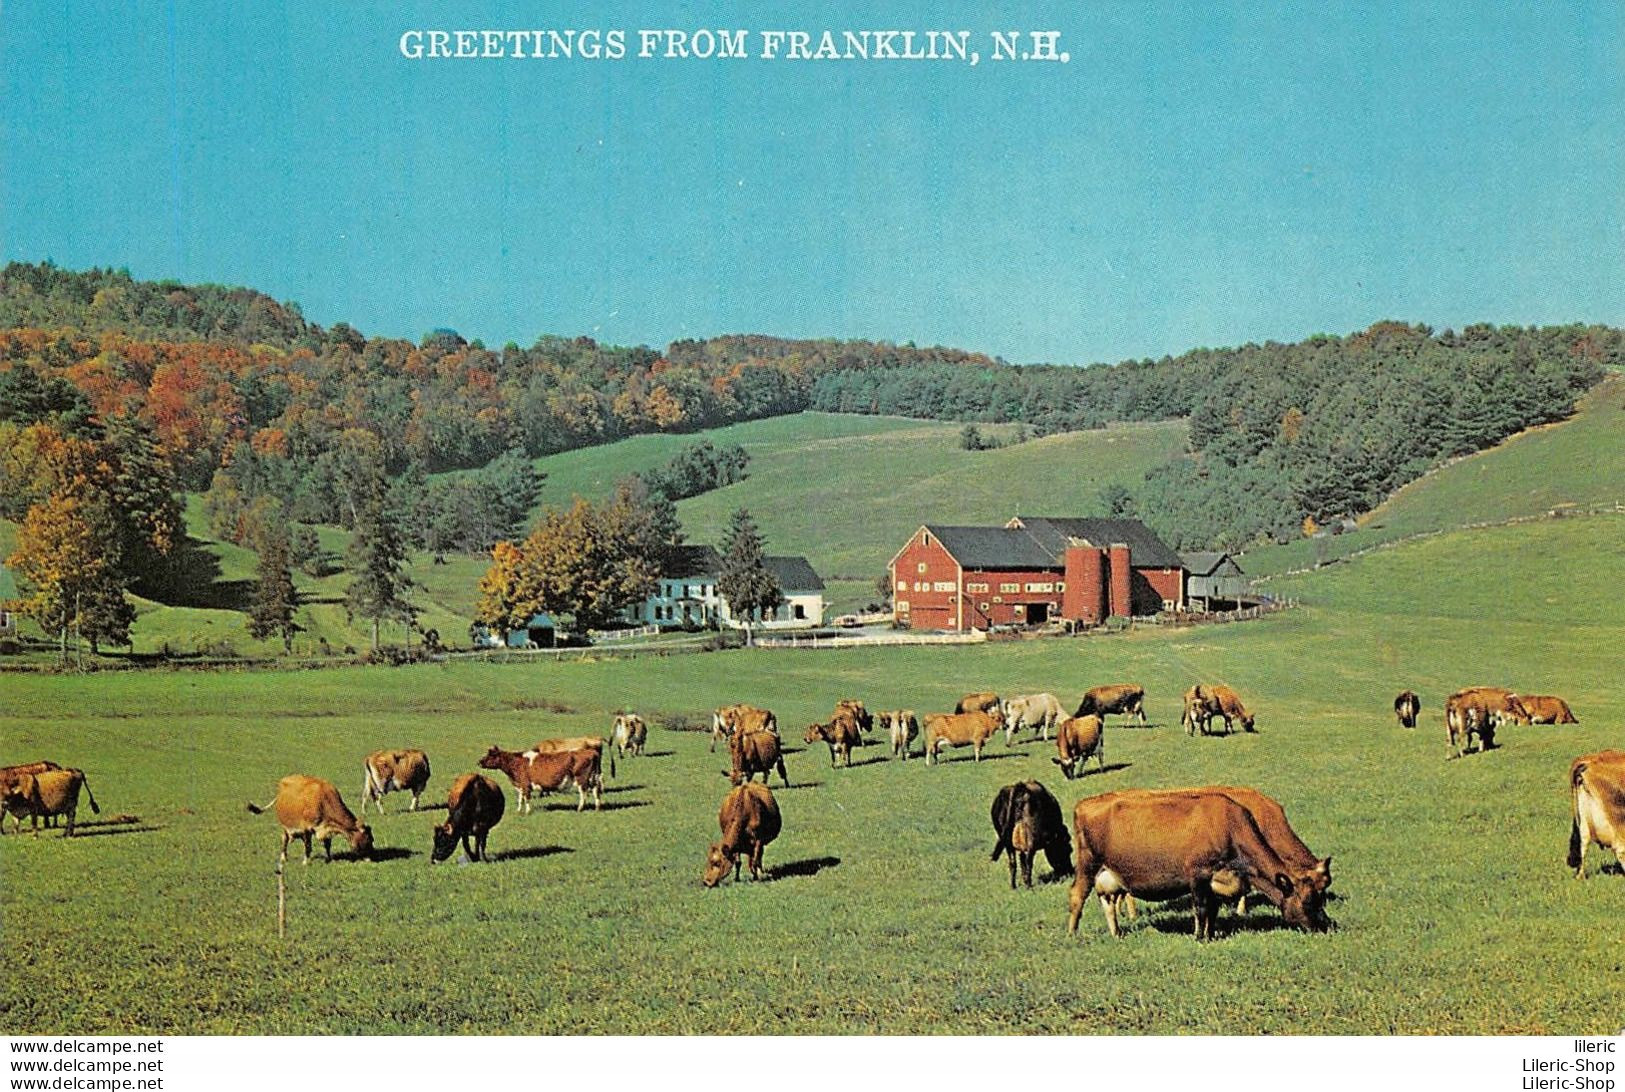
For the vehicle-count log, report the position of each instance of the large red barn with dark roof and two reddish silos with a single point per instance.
(1031, 571)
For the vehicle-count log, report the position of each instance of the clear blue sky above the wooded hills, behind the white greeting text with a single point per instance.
(1197, 175)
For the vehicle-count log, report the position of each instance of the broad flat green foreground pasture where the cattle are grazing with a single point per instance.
(1457, 911)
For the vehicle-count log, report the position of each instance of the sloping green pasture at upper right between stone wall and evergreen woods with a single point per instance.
(1577, 462)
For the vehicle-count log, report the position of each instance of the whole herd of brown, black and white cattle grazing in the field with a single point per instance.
(1215, 844)
